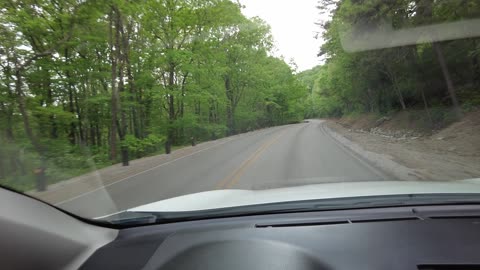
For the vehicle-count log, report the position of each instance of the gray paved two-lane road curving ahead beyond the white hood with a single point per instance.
(276, 157)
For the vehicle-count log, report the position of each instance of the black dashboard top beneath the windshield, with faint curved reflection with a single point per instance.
(426, 238)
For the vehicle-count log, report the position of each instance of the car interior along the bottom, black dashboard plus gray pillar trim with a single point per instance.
(422, 237)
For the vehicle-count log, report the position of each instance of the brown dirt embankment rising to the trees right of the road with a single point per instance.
(448, 153)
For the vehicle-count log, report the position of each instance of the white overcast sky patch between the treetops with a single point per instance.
(293, 28)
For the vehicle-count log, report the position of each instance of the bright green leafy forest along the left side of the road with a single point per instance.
(85, 84)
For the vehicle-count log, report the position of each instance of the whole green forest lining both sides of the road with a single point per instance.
(85, 84)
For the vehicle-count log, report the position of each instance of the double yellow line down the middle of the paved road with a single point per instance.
(232, 179)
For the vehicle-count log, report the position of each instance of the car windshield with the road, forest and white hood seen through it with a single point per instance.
(179, 106)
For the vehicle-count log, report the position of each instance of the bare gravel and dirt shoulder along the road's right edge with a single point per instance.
(450, 154)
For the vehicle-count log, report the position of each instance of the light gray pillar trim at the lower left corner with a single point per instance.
(34, 235)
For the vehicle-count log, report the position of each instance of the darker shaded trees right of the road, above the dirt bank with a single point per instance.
(439, 81)
